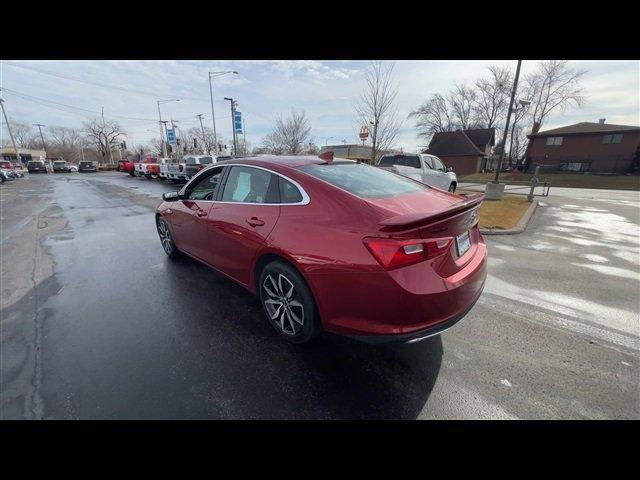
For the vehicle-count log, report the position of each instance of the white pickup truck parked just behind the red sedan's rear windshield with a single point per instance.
(424, 168)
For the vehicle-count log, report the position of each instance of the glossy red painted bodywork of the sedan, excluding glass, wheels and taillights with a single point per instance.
(323, 239)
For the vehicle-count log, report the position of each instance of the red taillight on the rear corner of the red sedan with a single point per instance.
(393, 253)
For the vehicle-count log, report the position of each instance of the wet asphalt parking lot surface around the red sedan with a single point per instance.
(96, 322)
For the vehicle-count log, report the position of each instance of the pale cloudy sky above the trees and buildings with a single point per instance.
(325, 90)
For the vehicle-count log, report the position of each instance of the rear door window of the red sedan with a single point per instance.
(250, 185)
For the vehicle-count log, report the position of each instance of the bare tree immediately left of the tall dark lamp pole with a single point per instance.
(492, 100)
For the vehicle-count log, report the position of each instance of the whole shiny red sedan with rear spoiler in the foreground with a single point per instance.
(332, 245)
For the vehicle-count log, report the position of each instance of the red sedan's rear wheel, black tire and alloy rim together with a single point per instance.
(299, 321)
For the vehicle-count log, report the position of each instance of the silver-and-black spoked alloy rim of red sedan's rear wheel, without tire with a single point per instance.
(281, 304)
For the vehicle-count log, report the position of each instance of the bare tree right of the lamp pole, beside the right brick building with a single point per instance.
(554, 86)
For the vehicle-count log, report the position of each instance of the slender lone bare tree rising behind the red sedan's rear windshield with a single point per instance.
(376, 108)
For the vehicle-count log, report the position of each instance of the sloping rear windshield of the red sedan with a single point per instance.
(363, 180)
